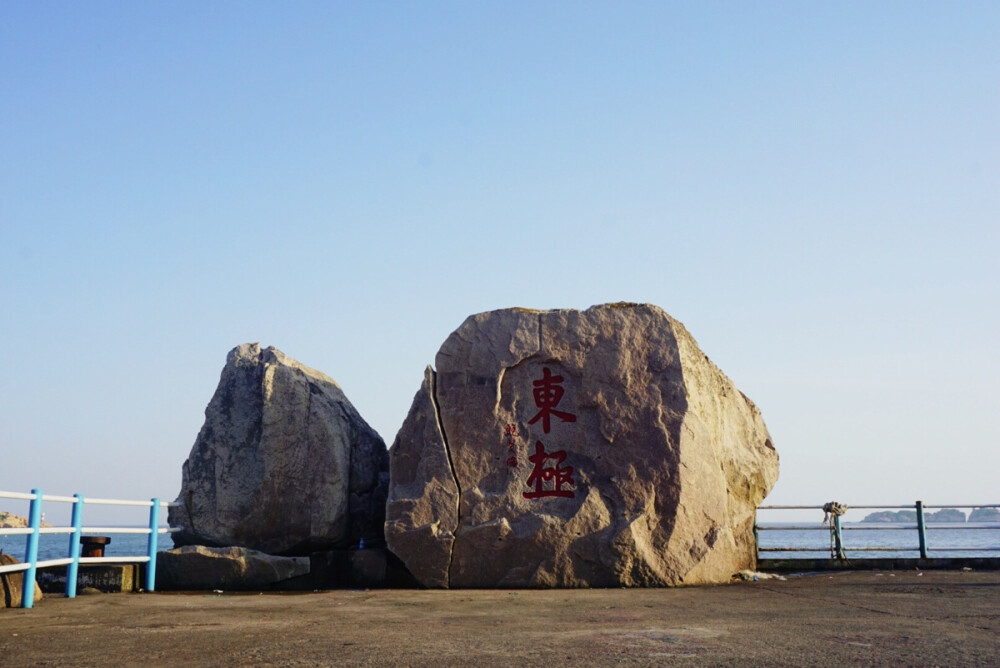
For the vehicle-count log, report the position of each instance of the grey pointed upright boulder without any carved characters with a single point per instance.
(283, 464)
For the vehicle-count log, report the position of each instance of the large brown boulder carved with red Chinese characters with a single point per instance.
(577, 448)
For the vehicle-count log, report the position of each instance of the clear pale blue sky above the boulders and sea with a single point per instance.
(812, 188)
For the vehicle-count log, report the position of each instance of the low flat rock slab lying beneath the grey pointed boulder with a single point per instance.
(195, 567)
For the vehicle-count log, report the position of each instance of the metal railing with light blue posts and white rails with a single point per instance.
(73, 559)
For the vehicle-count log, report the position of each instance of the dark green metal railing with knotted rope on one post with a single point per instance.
(835, 527)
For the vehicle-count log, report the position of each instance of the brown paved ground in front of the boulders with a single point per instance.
(937, 618)
